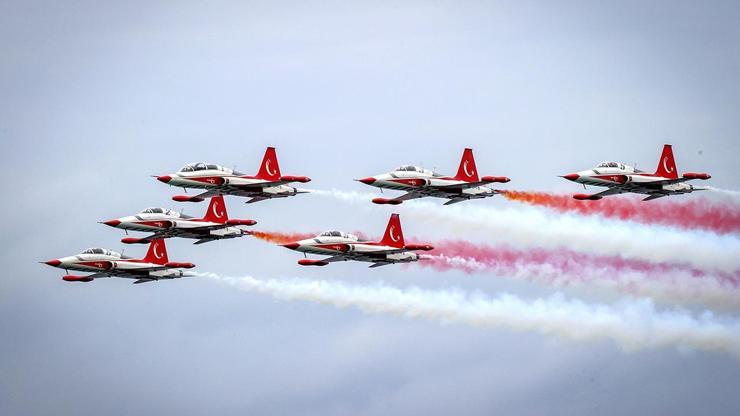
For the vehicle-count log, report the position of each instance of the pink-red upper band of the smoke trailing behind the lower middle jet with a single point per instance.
(556, 263)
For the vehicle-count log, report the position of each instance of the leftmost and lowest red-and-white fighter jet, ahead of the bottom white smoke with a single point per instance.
(107, 263)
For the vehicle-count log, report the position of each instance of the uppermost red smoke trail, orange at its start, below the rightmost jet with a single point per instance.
(695, 213)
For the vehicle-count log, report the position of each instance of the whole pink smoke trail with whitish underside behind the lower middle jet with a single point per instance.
(565, 268)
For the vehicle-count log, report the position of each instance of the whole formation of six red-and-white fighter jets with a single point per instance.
(217, 181)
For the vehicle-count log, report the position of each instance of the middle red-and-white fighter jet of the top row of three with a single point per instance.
(419, 183)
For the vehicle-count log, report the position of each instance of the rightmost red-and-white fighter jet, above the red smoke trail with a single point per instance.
(621, 178)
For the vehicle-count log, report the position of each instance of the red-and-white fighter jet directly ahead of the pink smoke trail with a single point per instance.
(342, 247)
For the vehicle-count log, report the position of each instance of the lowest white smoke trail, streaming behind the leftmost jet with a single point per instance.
(631, 324)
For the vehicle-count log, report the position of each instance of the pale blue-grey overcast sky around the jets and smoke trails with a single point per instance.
(95, 98)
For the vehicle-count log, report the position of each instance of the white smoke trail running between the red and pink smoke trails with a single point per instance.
(522, 226)
